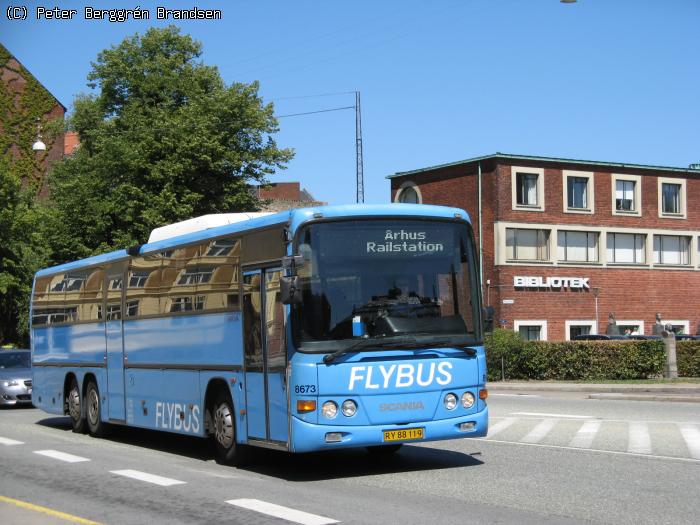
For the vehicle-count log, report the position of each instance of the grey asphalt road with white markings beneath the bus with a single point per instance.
(548, 459)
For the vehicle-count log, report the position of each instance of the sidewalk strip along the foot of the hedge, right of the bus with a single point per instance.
(684, 392)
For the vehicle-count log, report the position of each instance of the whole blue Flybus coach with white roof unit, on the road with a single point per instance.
(306, 330)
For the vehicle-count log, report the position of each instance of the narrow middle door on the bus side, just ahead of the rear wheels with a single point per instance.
(115, 342)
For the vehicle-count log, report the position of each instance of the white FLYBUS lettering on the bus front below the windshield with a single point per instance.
(402, 376)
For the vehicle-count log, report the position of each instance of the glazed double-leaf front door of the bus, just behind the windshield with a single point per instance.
(265, 356)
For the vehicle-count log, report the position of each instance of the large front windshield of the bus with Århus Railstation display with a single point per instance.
(373, 279)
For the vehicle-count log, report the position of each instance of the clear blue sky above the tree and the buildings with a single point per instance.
(440, 80)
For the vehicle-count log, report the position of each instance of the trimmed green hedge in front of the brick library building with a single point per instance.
(583, 360)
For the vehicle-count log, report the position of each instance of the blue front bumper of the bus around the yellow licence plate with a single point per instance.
(309, 437)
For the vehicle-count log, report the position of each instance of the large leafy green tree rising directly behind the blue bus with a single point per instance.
(164, 140)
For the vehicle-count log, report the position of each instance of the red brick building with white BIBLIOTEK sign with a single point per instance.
(565, 243)
